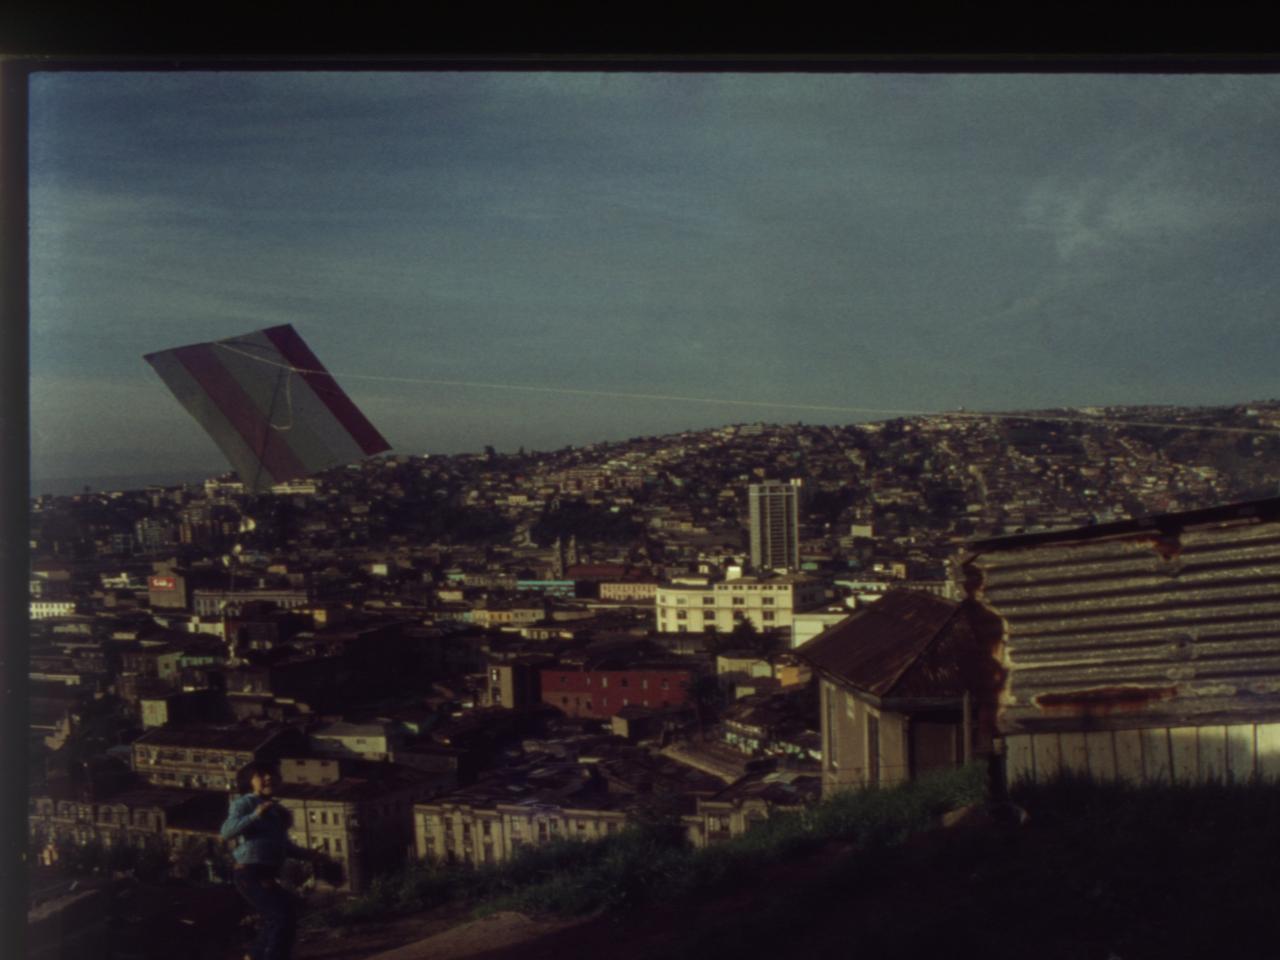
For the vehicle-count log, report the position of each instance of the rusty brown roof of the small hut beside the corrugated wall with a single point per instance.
(881, 650)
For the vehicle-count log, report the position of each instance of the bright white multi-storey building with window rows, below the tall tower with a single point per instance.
(769, 602)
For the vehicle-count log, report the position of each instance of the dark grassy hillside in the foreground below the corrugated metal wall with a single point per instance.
(1099, 872)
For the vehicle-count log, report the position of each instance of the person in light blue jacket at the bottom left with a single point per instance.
(263, 828)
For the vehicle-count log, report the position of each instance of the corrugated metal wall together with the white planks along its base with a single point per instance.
(1176, 636)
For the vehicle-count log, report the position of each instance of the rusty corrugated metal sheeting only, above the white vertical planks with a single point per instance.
(1162, 621)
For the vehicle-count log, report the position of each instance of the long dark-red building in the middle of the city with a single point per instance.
(602, 693)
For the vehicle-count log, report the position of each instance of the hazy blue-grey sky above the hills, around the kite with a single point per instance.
(815, 248)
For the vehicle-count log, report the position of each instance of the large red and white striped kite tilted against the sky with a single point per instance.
(269, 405)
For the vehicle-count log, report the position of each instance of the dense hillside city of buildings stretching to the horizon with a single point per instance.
(456, 657)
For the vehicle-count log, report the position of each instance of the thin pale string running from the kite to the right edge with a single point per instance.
(812, 408)
